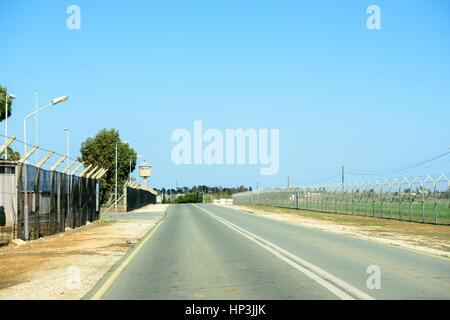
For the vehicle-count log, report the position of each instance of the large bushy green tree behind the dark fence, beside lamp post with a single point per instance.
(101, 151)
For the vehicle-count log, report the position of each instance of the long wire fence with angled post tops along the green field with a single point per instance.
(413, 199)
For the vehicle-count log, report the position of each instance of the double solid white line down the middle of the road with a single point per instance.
(327, 280)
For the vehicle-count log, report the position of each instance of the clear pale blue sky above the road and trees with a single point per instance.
(339, 93)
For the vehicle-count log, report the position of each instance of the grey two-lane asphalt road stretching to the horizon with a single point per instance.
(204, 251)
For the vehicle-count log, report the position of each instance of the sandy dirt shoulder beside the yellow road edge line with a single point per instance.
(68, 265)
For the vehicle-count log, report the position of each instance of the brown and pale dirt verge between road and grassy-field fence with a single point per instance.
(425, 238)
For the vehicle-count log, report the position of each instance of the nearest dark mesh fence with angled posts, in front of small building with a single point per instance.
(38, 202)
